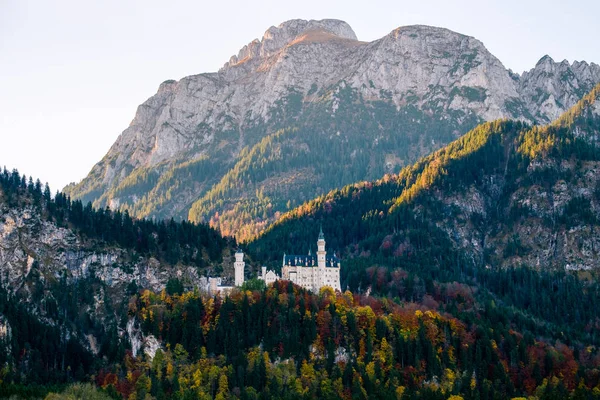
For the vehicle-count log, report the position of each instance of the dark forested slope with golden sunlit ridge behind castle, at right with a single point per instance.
(508, 209)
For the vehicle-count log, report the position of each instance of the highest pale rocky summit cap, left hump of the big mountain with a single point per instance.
(277, 37)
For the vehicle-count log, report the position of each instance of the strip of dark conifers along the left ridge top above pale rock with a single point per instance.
(168, 240)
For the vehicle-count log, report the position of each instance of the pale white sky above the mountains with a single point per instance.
(72, 72)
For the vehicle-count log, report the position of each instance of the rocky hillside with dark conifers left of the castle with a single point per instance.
(66, 274)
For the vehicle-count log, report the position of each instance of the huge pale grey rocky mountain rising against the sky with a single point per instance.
(310, 108)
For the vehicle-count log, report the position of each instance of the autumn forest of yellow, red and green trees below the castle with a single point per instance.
(285, 342)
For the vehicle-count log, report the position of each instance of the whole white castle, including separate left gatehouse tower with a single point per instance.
(308, 271)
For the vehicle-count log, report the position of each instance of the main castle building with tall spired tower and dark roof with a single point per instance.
(308, 271)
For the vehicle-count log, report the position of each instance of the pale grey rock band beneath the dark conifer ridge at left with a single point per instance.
(32, 247)
